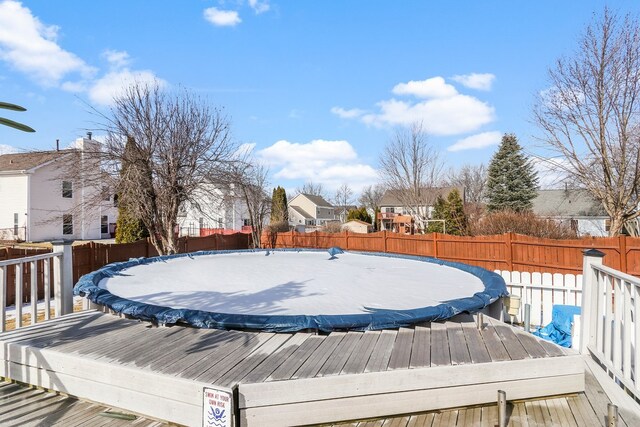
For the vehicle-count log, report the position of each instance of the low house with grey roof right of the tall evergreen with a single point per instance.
(575, 208)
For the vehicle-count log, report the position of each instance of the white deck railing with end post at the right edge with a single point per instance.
(610, 329)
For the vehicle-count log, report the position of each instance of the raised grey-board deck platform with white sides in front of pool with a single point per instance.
(302, 378)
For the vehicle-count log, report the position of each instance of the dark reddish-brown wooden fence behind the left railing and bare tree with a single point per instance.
(90, 256)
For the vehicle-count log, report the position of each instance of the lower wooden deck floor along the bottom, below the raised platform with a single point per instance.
(22, 406)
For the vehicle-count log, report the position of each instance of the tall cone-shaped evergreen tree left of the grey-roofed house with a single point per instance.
(512, 181)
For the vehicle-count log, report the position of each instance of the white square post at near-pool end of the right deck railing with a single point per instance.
(588, 316)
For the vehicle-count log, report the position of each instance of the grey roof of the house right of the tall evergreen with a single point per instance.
(566, 203)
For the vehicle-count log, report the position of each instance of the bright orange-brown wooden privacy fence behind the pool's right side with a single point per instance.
(509, 251)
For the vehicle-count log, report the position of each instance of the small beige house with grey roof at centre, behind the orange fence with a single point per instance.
(311, 212)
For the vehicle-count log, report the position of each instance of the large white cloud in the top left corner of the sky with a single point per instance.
(31, 47)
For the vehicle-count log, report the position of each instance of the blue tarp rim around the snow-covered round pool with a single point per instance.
(88, 287)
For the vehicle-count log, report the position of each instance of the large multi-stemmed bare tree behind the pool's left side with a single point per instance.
(175, 148)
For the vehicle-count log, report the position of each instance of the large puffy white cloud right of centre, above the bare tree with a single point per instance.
(441, 116)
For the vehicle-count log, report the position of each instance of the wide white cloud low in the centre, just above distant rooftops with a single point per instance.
(330, 163)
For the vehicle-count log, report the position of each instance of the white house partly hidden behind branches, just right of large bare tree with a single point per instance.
(219, 211)
